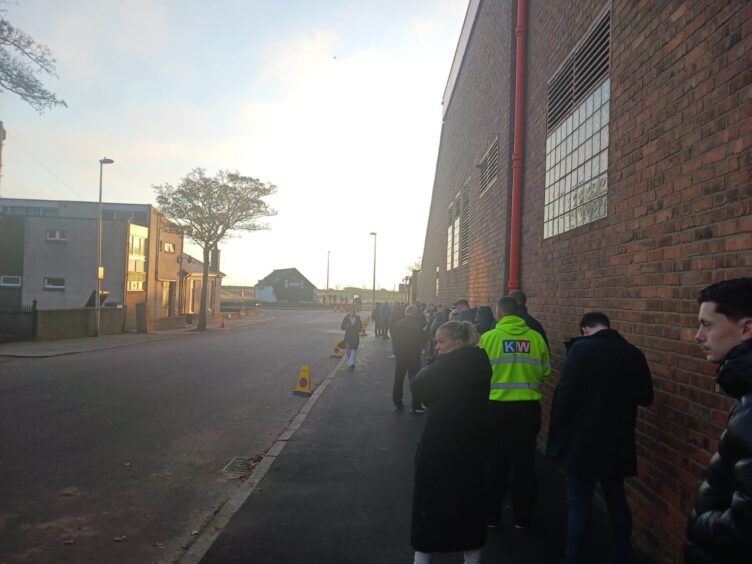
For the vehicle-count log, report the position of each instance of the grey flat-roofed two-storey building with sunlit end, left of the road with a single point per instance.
(50, 255)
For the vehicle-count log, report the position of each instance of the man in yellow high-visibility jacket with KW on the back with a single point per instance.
(521, 363)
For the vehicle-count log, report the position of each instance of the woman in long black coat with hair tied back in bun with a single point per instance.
(448, 500)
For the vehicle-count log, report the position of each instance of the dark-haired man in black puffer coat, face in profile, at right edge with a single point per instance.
(720, 527)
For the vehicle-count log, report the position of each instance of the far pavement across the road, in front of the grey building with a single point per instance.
(42, 349)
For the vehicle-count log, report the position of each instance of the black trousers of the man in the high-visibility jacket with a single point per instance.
(512, 433)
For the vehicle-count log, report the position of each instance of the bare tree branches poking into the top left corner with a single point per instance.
(21, 61)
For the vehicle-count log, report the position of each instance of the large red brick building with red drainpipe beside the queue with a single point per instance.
(635, 194)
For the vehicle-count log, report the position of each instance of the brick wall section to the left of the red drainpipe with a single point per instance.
(470, 126)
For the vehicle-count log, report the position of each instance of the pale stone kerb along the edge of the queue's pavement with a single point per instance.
(212, 528)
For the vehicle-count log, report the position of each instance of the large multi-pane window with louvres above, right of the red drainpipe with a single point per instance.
(576, 187)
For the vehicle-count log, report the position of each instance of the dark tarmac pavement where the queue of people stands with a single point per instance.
(337, 486)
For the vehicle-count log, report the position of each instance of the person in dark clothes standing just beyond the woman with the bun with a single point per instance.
(408, 338)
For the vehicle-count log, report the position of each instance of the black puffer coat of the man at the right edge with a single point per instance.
(720, 527)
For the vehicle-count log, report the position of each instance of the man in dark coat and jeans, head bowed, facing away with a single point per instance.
(591, 433)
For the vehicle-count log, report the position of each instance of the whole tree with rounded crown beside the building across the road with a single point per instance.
(209, 208)
